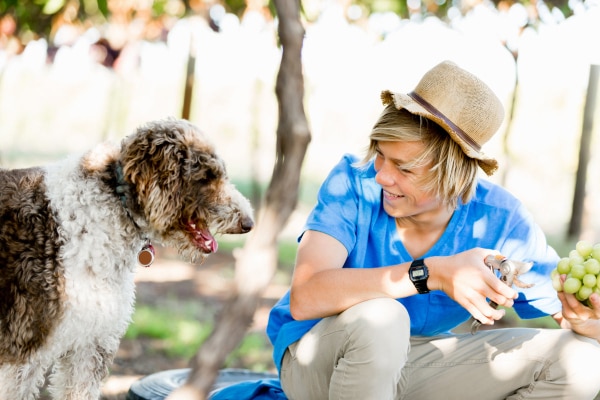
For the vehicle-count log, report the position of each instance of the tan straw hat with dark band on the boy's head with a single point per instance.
(460, 103)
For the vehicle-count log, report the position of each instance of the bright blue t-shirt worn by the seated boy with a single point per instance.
(349, 208)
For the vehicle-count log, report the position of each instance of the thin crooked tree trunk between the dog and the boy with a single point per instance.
(257, 261)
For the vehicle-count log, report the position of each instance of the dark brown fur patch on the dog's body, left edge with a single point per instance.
(31, 288)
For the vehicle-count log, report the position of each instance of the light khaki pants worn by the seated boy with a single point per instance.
(366, 353)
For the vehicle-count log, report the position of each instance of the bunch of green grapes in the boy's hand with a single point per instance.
(582, 268)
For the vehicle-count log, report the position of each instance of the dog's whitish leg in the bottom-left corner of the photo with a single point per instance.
(23, 382)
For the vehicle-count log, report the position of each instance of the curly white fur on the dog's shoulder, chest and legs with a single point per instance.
(99, 283)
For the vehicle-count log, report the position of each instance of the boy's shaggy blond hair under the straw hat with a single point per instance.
(452, 176)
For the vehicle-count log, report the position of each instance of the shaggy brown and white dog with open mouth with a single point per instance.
(71, 237)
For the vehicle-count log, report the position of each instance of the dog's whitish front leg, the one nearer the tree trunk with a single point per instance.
(78, 375)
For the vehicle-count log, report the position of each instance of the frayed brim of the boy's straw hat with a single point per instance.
(403, 101)
